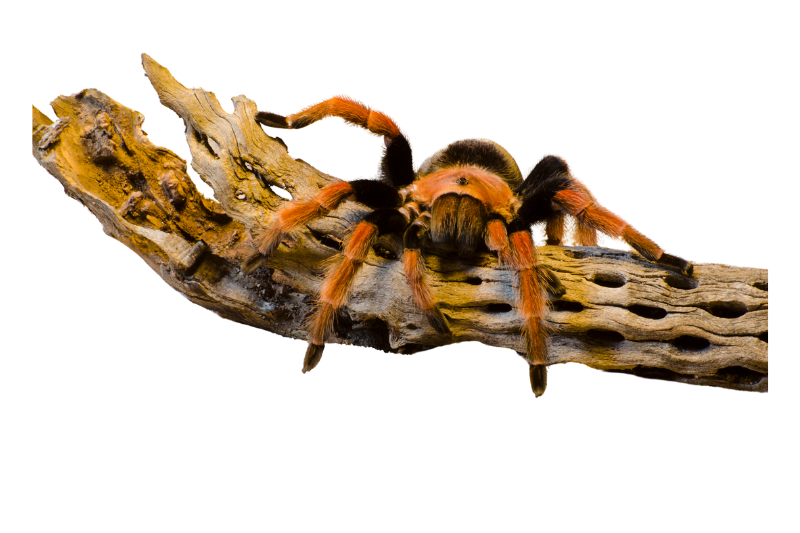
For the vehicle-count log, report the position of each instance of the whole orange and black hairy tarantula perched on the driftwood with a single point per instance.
(464, 196)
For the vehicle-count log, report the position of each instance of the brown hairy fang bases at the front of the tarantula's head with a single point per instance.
(457, 223)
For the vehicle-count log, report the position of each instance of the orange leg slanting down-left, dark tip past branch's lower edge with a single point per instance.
(336, 289)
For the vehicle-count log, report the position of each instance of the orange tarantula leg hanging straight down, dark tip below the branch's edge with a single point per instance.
(517, 252)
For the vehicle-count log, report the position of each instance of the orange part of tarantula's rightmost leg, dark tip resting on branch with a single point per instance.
(595, 221)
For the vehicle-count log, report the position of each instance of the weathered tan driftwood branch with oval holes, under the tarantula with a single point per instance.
(619, 314)
